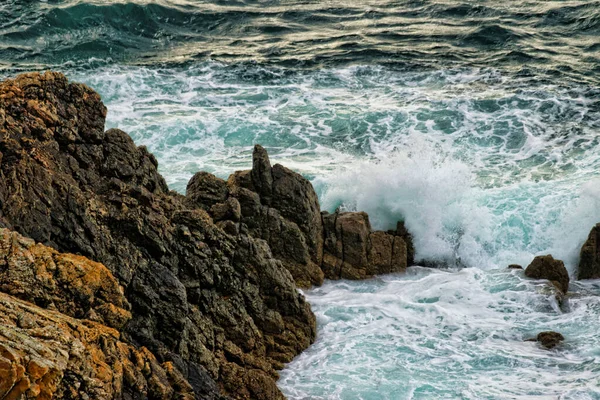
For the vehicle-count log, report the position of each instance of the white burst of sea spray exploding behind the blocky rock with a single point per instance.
(428, 190)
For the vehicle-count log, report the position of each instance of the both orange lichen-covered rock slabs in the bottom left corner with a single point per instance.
(46, 353)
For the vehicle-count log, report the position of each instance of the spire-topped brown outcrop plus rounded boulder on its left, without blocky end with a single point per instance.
(272, 203)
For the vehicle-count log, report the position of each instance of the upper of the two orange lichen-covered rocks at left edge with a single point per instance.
(71, 284)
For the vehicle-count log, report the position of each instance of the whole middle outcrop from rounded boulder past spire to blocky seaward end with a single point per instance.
(281, 207)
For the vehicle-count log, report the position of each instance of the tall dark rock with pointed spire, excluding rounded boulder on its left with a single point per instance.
(281, 207)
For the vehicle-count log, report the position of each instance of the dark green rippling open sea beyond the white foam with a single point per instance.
(302, 35)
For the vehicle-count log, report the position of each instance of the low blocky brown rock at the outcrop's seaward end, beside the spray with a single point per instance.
(353, 251)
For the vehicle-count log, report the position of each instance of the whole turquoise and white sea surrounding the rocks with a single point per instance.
(475, 122)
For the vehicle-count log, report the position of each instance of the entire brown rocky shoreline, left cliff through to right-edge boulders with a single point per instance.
(113, 286)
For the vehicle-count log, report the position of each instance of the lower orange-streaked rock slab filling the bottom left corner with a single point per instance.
(45, 354)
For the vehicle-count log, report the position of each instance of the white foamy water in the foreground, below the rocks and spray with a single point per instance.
(433, 334)
